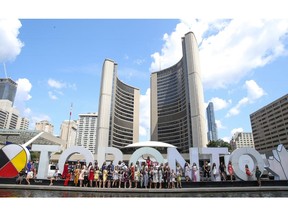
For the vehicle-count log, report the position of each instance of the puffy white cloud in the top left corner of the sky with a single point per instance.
(10, 44)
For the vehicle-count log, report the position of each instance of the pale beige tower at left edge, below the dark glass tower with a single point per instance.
(9, 116)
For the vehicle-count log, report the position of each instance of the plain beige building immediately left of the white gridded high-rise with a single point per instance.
(68, 132)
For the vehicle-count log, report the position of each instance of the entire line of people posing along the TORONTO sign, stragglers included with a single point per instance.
(144, 175)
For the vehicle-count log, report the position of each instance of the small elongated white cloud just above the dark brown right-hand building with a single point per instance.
(254, 92)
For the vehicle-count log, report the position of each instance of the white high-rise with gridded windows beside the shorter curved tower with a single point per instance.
(87, 131)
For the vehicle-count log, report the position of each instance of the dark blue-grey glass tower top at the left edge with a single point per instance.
(8, 89)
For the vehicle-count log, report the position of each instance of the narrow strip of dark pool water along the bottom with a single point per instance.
(76, 194)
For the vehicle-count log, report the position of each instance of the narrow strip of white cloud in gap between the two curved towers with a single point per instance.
(145, 115)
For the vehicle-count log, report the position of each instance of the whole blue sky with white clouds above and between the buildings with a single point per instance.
(57, 62)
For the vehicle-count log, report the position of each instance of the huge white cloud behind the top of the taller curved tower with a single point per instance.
(228, 49)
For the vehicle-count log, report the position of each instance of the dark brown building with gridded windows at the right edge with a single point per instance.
(270, 125)
